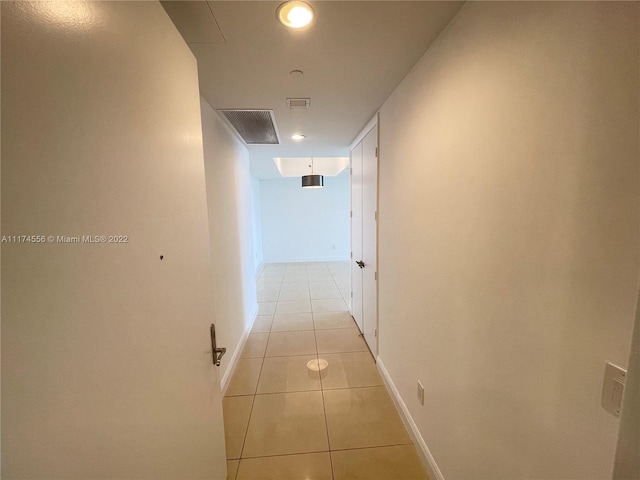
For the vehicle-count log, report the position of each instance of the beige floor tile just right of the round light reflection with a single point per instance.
(348, 370)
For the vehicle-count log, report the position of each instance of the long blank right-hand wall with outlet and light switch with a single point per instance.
(508, 249)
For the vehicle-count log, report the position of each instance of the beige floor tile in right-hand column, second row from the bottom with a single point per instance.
(362, 417)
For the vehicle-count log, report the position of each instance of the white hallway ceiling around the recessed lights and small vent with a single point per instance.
(353, 56)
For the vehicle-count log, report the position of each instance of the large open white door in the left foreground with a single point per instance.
(105, 365)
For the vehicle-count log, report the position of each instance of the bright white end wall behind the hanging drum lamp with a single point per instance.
(302, 224)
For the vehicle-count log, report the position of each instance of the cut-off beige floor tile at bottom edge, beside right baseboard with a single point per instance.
(399, 462)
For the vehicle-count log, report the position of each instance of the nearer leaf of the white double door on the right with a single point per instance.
(369, 238)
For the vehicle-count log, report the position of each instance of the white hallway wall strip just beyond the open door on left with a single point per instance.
(229, 196)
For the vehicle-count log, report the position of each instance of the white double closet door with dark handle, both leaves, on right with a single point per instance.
(364, 188)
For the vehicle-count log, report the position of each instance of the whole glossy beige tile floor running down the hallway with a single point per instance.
(284, 419)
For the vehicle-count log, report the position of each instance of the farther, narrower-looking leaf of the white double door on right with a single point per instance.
(356, 235)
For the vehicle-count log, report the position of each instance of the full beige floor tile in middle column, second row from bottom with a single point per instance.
(284, 423)
